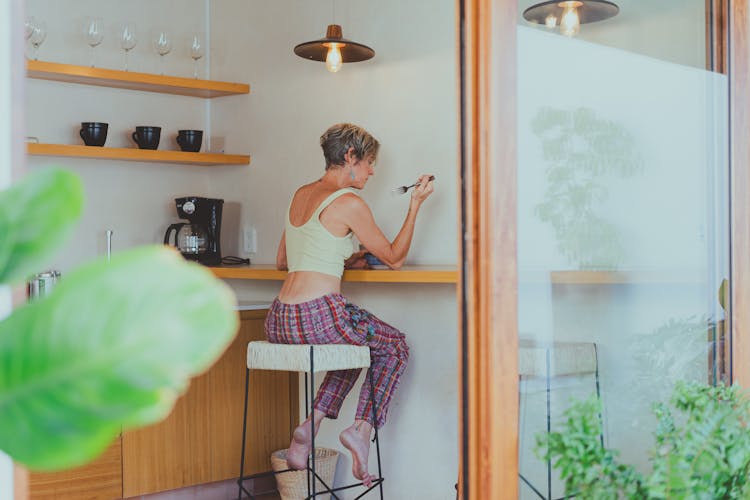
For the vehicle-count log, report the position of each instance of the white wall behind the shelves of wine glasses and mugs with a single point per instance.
(133, 199)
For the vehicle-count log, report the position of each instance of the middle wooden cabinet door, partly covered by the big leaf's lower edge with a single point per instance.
(173, 453)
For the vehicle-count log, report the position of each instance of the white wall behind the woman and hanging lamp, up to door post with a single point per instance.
(407, 97)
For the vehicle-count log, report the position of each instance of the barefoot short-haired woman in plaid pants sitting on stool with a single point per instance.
(315, 246)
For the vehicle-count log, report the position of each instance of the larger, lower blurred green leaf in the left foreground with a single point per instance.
(111, 348)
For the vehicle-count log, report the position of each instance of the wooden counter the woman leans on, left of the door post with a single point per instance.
(407, 274)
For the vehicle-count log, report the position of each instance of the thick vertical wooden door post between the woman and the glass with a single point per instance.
(488, 278)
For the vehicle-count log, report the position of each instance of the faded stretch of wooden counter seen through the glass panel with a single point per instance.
(655, 277)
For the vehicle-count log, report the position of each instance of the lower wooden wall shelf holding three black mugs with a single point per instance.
(133, 154)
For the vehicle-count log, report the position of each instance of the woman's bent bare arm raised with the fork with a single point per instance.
(362, 223)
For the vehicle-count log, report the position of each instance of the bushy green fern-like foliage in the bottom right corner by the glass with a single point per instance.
(701, 449)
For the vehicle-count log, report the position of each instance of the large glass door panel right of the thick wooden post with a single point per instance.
(622, 223)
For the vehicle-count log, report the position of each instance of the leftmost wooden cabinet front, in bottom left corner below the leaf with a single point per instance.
(98, 480)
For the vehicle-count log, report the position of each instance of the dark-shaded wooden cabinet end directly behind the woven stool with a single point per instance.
(272, 407)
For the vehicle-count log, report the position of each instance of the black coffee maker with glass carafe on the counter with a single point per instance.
(197, 239)
